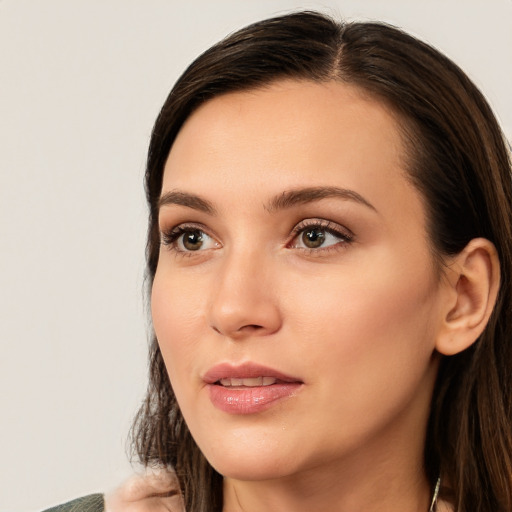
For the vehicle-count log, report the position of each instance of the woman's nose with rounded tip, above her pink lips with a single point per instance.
(245, 302)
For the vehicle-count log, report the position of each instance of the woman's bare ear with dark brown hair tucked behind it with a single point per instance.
(472, 281)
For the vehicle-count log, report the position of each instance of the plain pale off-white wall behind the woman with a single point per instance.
(81, 82)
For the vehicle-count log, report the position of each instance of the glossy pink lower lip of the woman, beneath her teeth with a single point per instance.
(250, 400)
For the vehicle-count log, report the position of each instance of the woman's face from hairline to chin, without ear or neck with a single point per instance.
(295, 301)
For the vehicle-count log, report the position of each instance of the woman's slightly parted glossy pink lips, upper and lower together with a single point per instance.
(248, 388)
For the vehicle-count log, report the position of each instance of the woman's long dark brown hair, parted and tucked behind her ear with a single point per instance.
(457, 158)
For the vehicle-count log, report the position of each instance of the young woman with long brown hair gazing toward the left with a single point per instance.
(329, 258)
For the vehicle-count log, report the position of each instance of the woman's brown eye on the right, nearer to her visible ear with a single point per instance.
(317, 234)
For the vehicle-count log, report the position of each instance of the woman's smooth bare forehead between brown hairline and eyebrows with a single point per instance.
(289, 134)
